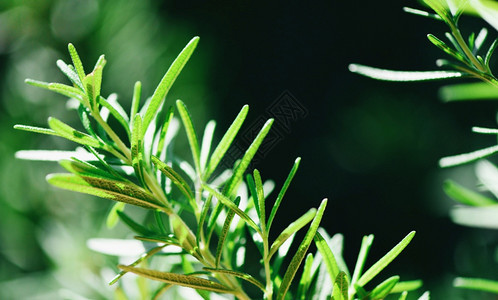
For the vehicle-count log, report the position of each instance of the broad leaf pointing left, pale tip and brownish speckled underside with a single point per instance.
(105, 188)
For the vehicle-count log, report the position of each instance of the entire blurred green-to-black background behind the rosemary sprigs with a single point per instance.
(370, 147)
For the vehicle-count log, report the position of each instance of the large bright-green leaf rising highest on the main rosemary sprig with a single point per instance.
(167, 81)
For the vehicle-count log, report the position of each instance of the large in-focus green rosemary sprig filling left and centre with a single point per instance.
(201, 217)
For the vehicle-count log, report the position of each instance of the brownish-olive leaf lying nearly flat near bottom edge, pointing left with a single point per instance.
(179, 279)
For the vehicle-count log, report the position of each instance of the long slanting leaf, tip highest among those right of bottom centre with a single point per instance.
(301, 252)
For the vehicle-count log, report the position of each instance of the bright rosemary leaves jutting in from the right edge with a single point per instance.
(478, 210)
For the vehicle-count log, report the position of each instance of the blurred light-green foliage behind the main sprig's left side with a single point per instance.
(39, 257)
